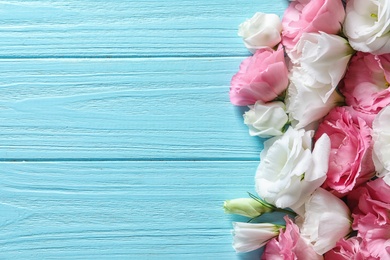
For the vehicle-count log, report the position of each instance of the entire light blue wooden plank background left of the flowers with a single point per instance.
(117, 138)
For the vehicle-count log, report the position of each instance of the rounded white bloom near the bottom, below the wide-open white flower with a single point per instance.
(326, 220)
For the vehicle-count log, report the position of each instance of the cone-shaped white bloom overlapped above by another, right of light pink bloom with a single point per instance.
(305, 99)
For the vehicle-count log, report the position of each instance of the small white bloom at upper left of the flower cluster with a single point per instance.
(260, 31)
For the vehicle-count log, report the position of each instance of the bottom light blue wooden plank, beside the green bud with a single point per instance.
(112, 210)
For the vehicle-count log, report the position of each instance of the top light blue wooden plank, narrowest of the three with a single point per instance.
(111, 28)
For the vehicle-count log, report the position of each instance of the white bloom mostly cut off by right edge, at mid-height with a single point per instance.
(381, 137)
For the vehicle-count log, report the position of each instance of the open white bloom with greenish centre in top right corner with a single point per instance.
(367, 25)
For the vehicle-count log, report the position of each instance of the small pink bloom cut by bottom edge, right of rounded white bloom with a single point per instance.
(350, 249)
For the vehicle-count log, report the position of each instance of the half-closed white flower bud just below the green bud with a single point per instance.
(251, 236)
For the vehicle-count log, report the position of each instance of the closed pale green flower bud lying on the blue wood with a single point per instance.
(247, 207)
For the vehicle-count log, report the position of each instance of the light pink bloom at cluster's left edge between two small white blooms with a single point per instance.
(262, 76)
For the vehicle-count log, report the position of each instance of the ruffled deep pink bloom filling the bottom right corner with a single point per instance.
(370, 206)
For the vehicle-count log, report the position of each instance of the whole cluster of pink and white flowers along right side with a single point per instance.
(317, 88)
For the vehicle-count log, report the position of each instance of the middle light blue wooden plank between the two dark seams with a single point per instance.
(121, 108)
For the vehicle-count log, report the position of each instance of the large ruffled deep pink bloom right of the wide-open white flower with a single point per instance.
(350, 160)
